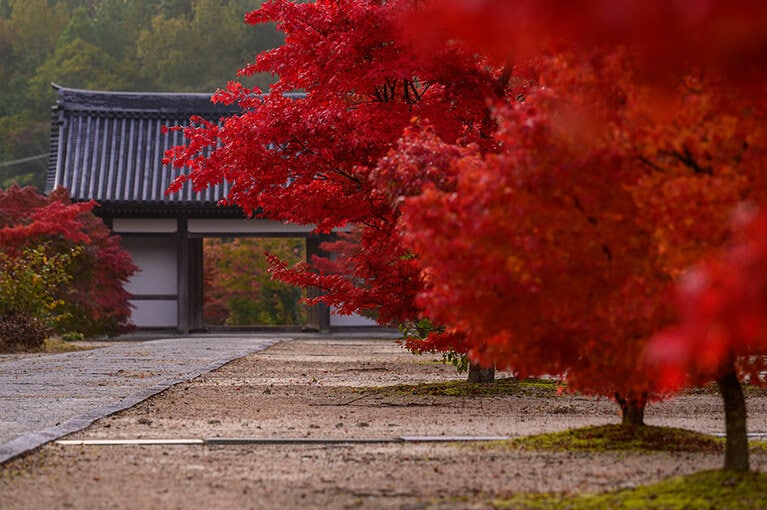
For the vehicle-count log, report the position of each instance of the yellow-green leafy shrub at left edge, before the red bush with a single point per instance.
(29, 306)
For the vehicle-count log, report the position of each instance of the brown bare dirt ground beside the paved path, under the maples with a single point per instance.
(311, 389)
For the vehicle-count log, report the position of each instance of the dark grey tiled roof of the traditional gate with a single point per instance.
(109, 146)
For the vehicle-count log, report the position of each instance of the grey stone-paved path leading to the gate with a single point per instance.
(45, 397)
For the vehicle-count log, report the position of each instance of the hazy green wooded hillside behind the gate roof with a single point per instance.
(152, 45)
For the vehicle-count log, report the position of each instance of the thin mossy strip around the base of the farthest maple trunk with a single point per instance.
(501, 387)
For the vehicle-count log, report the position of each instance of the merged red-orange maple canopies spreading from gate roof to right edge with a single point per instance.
(550, 242)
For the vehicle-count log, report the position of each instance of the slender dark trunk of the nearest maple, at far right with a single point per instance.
(736, 447)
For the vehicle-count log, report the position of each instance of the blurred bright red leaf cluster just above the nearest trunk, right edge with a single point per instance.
(723, 303)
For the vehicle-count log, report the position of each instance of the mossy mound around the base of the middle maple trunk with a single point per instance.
(618, 437)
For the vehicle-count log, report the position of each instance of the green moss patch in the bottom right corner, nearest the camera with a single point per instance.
(705, 490)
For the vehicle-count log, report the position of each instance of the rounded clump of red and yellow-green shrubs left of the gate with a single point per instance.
(59, 264)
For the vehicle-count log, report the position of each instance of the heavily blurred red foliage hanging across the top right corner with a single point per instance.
(728, 37)
